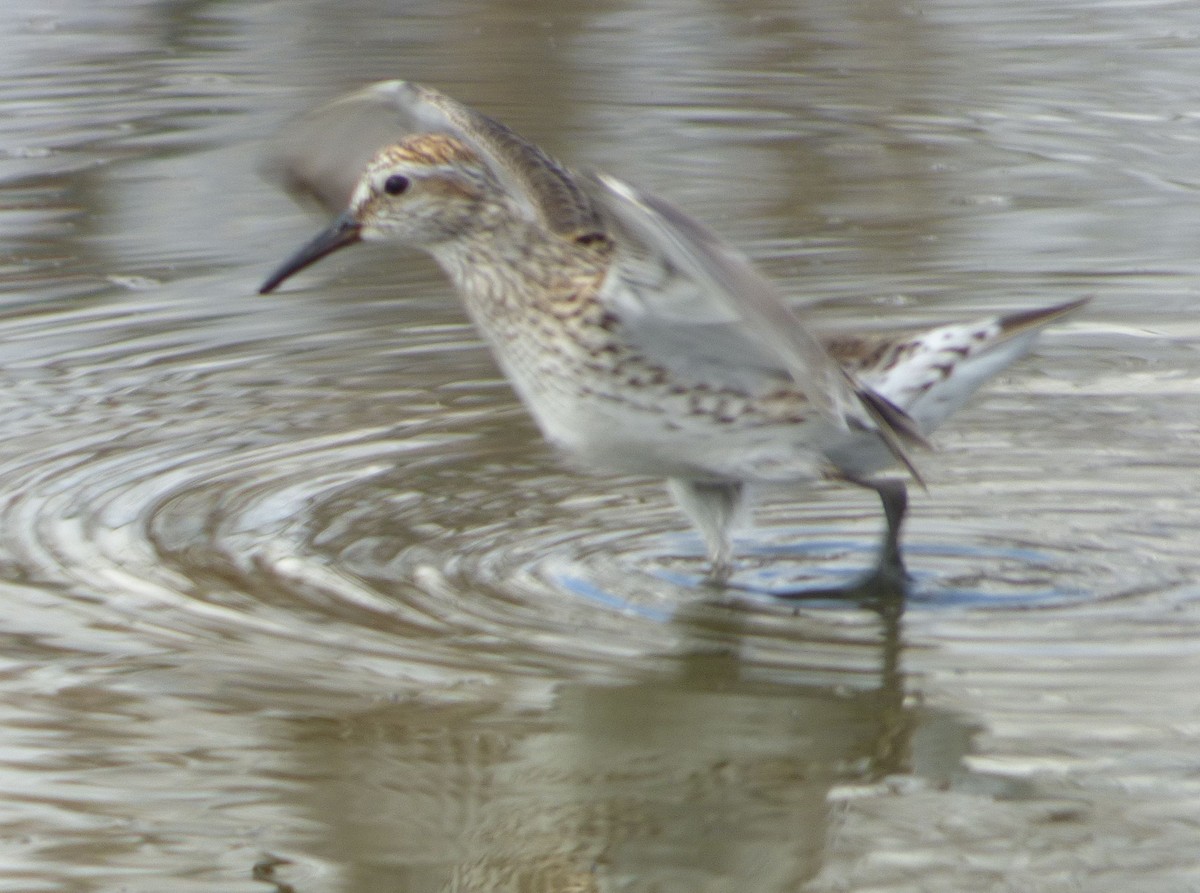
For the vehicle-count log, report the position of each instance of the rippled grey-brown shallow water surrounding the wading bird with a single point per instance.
(298, 601)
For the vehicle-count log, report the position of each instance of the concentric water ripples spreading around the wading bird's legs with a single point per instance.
(206, 493)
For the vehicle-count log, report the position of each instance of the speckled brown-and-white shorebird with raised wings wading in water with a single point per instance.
(638, 340)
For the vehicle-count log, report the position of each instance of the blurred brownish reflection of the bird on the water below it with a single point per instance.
(711, 775)
